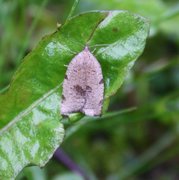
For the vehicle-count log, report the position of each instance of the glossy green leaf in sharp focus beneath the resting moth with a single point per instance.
(30, 120)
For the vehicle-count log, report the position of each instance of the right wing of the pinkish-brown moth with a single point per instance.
(94, 87)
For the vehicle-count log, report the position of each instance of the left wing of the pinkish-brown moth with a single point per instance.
(71, 100)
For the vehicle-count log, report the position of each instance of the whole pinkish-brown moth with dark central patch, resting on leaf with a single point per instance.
(83, 86)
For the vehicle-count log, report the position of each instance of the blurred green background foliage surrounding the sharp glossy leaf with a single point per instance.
(139, 144)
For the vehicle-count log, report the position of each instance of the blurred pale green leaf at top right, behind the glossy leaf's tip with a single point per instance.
(163, 17)
